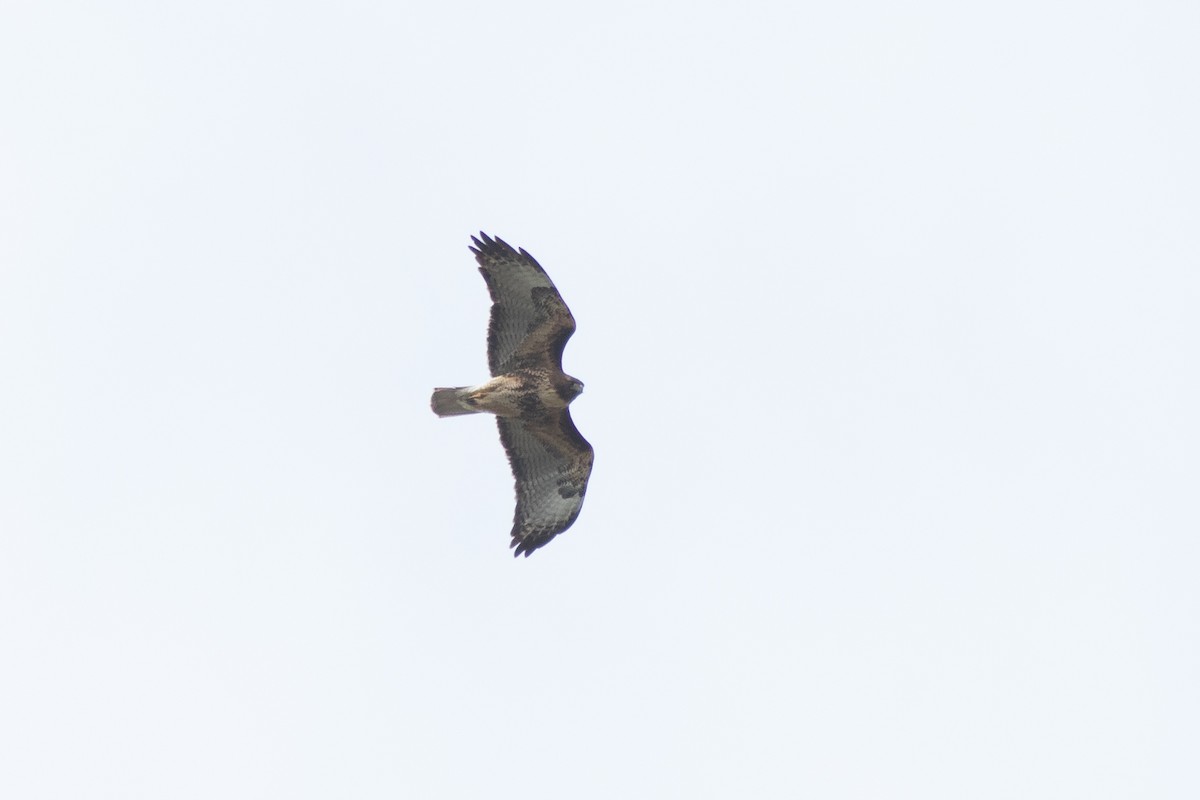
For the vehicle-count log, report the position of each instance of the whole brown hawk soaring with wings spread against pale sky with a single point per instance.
(529, 394)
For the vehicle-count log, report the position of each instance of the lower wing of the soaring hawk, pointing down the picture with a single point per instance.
(551, 464)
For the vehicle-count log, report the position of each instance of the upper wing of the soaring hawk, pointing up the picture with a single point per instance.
(531, 323)
